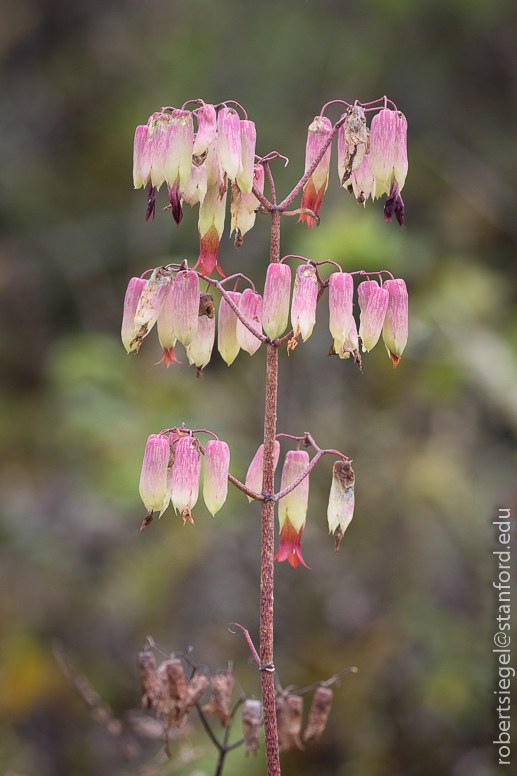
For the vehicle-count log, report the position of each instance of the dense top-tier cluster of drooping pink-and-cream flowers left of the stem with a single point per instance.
(197, 167)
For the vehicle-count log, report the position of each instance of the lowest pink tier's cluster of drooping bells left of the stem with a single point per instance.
(171, 472)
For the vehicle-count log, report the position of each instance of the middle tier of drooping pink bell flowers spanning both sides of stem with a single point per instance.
(171, 298)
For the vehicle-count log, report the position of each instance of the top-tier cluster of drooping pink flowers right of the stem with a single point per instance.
(371, 161)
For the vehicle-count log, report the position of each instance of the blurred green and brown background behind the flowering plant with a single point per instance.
(408, 600)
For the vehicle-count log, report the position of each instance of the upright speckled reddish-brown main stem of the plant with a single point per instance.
(268, 538)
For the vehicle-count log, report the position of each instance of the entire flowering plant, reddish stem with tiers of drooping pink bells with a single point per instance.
(200, 167)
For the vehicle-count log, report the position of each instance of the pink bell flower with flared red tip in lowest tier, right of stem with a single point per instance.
(292, 509)
